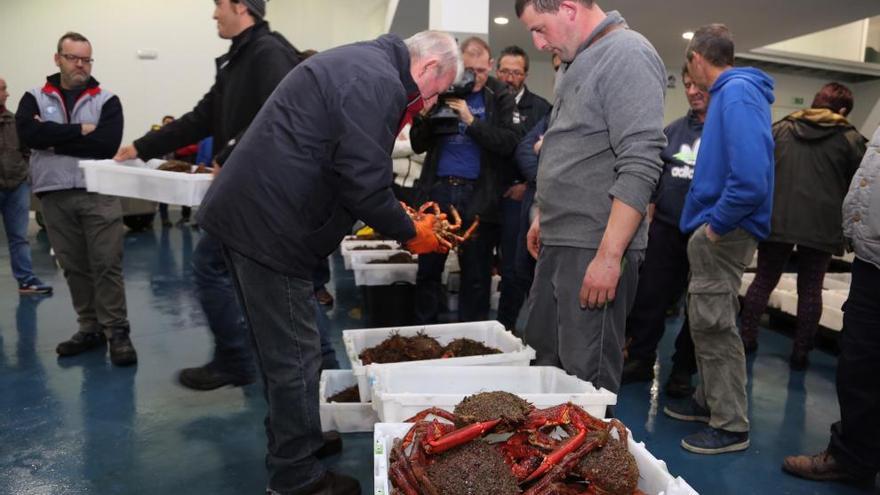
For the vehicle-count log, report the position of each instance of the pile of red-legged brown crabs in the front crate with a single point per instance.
(495, 443)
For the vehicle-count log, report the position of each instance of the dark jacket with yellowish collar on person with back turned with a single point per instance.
(817, 152)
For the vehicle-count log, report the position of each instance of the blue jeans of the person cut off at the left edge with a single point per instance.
(14, 204)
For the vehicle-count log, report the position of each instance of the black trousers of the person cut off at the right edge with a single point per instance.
(855, 439)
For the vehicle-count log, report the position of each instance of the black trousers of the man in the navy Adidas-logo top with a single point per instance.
(662, 281)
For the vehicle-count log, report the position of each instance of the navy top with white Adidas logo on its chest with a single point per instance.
(679, 157)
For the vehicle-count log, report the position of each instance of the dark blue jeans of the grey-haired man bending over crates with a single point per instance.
(280, 313)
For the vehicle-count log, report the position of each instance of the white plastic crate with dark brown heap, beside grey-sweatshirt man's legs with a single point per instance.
(491, 333)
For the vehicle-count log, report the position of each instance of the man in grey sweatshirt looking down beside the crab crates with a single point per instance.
(599, 163)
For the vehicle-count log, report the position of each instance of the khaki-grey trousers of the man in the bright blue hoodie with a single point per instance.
(716, 275)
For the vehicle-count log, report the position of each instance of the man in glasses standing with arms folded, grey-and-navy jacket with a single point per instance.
(71, 118)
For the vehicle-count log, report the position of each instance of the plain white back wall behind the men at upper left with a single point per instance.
(181, 31)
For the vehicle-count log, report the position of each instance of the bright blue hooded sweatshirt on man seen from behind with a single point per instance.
(733, 179)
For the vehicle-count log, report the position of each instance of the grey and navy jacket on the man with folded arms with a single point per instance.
(56, 137)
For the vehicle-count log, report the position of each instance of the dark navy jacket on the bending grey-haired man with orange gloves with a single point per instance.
(317, 157)
